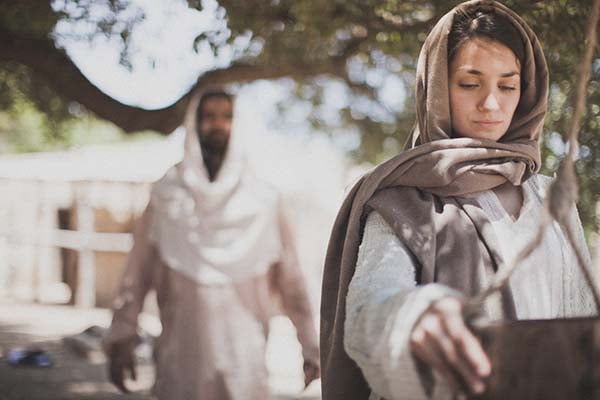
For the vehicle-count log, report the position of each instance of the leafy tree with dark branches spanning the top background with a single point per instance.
(314, 42)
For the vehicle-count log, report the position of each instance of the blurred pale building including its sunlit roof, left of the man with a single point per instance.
(67, 219)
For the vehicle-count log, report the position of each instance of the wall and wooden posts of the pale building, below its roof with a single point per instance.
(75, 239)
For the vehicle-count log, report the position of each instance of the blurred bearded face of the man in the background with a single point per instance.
(214, 124)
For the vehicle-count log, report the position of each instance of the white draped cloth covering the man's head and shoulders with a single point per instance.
(220, 231)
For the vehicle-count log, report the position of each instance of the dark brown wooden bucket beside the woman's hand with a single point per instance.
(543, 359)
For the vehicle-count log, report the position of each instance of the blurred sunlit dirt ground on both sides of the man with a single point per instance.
(78, 373)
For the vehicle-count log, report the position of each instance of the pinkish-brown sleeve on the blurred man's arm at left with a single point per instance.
(135, 284)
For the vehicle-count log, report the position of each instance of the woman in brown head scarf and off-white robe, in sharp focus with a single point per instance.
(430, 227)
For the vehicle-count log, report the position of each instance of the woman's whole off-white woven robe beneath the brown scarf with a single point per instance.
(384, 300)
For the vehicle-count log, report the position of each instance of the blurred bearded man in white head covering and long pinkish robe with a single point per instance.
(214, 245)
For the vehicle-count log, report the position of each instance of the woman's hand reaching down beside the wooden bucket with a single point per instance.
(442, 340)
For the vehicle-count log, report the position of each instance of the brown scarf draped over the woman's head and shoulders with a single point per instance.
(414, 192)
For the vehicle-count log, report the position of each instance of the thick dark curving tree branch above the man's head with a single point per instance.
(59, 72)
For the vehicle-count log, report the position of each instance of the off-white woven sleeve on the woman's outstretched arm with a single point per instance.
(383, 304)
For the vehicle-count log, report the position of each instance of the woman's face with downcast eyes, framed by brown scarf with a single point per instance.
(485, 87)
